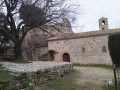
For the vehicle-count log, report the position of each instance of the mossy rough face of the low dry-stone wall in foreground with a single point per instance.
(29, 80)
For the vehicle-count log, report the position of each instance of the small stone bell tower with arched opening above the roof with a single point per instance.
(103, 23)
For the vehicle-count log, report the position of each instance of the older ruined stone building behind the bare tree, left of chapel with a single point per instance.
(36, 44)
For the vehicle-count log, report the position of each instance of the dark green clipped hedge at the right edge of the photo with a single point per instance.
(114, 48)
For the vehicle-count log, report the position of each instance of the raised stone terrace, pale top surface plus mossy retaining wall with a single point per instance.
(33, 74)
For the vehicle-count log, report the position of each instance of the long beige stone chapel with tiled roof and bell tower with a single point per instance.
(84, 48)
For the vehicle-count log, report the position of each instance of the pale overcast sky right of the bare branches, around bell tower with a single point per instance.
(93, 10)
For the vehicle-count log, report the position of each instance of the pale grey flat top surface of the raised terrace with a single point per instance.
(30, 67)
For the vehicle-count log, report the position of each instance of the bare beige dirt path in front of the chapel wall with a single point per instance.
(91, 78)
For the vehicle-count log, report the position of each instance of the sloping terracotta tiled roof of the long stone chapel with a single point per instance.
(85, 34)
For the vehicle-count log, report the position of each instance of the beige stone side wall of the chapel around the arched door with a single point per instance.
(86, 50)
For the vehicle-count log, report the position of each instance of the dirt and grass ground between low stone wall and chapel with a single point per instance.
(82, 78)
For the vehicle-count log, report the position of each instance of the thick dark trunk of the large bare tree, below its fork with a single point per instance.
(18, 51)
